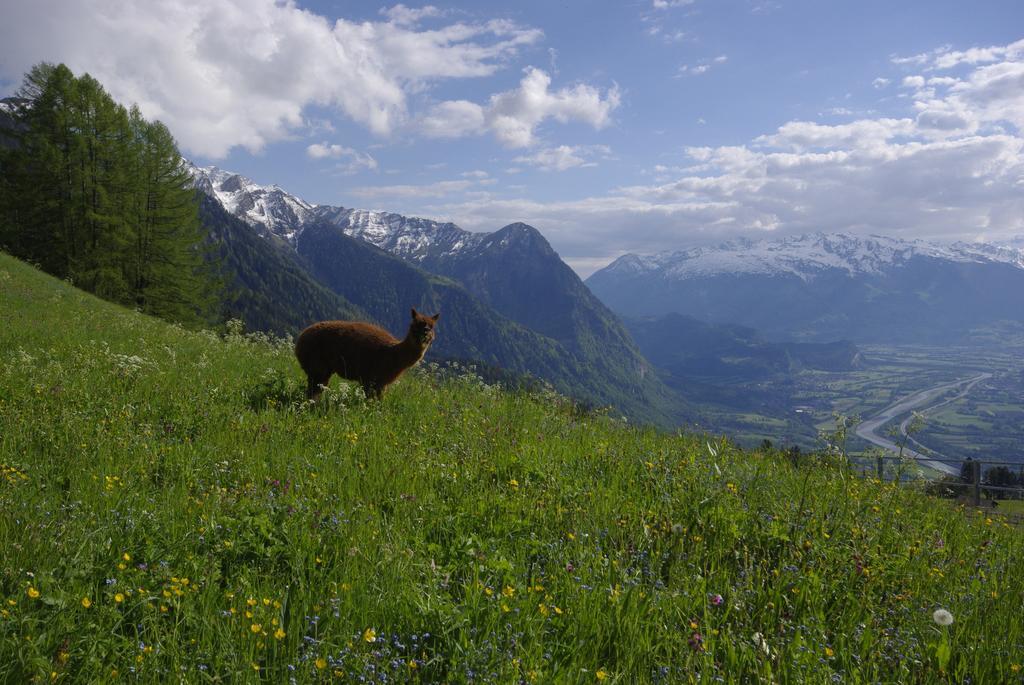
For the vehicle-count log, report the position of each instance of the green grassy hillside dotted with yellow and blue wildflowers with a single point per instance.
(169, 513)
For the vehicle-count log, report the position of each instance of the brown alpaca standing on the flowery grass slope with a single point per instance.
(361, 353)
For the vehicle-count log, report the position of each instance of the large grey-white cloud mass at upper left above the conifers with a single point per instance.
(242, 72)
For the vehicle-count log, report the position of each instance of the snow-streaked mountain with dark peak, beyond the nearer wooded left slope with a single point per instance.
(509, 299)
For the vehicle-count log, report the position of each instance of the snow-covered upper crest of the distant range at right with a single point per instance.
(807, 258)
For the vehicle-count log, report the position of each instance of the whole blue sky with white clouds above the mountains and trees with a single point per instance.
(613, 127)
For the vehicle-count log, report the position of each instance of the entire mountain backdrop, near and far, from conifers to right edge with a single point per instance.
(656, 336)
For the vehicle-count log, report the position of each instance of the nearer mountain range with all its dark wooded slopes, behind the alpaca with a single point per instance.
(507, 299)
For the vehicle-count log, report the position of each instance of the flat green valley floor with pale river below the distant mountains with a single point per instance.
(984, 417)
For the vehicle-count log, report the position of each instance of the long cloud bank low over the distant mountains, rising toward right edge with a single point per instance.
(950, 168)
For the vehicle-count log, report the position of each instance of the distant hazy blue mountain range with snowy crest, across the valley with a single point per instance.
(827, 287)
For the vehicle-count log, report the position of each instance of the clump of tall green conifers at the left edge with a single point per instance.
(96, 194)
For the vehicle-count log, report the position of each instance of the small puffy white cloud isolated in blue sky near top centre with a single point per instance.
(515, 115)
